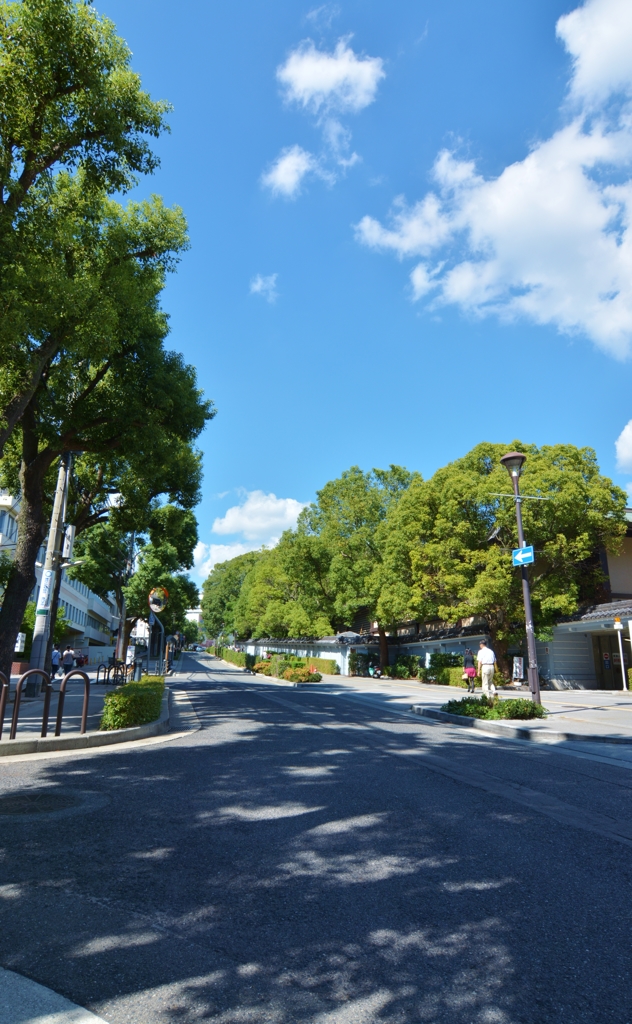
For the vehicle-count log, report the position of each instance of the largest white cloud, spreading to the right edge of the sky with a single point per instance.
(551, 238)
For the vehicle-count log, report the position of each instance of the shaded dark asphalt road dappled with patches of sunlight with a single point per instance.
(311, 860)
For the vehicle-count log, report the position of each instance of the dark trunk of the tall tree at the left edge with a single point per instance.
(31, 534)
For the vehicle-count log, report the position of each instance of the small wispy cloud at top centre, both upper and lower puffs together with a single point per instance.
(326, 86)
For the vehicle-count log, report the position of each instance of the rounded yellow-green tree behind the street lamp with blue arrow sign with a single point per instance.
(447, 544)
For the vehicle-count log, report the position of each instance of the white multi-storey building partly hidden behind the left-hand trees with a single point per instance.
(92, 620)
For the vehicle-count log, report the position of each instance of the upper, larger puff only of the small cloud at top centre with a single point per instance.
(339, 81)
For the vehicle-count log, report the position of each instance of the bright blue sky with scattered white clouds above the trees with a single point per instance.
(409, 234)
